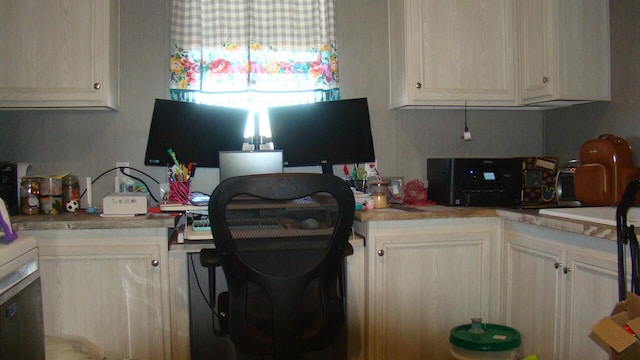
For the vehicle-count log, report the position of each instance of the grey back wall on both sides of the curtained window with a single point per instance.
(90, 142)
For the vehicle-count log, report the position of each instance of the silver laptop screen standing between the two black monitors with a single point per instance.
(240, 163)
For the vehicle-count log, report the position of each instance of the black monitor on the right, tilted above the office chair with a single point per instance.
(323, 133)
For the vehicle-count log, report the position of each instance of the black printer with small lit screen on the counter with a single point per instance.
(478, 182)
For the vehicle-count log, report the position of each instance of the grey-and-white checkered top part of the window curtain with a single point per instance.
(277, 24)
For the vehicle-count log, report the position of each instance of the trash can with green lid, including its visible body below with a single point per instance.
(478, 341)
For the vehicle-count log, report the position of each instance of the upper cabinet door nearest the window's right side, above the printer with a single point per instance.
(461, 50)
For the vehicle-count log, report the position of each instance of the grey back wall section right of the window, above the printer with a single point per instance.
(404, 139)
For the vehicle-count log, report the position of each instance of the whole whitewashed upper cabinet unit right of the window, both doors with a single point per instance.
(498, 52)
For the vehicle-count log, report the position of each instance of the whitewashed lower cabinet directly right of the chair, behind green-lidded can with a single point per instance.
(424, 278)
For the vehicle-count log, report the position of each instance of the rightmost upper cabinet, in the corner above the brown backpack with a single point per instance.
(564, 50)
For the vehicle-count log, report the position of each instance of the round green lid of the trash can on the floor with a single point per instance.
(493, 338)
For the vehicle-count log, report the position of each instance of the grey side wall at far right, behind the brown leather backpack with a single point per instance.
(566, 129)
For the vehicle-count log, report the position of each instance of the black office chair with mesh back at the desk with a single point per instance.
(281, 241)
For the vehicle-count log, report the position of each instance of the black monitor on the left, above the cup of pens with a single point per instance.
(195, 132)
